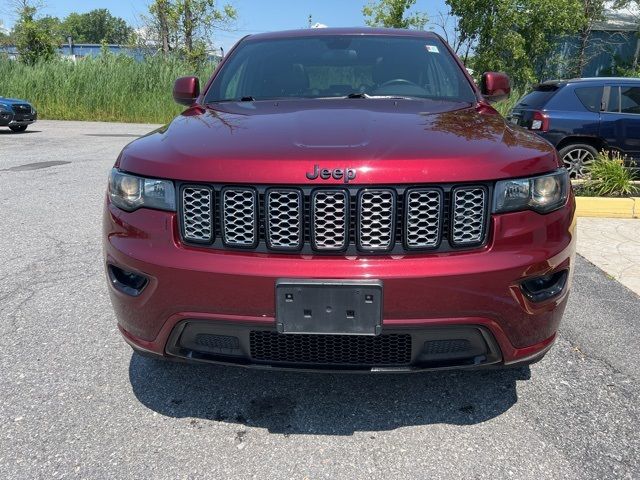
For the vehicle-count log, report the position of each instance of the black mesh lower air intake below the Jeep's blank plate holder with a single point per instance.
(391, 349)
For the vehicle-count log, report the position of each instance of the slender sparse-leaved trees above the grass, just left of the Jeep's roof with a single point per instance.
(188, 26)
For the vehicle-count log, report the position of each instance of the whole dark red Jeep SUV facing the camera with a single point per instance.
(340, 200)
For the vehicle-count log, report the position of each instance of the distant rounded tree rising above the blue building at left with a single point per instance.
(96, 26)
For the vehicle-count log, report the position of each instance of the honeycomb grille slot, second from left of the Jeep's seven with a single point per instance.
(239, 214)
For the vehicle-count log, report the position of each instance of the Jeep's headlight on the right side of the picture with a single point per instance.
(542, 194)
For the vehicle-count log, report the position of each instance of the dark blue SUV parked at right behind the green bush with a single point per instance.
(583, 116)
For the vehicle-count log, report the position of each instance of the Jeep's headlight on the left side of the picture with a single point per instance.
(130, 192)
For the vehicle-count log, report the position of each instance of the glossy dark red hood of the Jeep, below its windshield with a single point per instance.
(386, 141)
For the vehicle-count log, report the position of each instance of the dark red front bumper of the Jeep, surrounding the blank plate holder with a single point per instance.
(231, 294)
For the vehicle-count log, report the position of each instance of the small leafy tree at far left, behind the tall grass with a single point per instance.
(34, 39)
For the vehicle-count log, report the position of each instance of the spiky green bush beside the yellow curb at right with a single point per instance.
(609, 177)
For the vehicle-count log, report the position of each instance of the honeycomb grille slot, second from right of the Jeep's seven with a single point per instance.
(423, 218)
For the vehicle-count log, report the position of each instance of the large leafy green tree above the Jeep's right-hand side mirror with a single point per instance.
(516, 36)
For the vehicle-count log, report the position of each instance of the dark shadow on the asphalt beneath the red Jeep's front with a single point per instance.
(319, 403)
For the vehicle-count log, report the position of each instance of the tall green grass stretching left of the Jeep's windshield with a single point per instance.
(105, 88)
